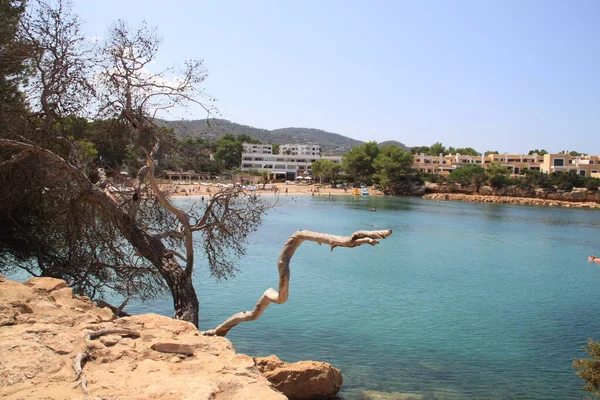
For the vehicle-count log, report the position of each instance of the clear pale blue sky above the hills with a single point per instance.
(501, 75)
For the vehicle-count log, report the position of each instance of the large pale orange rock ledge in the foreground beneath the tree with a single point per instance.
(44, 329)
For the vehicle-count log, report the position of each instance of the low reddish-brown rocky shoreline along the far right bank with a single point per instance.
(475, 198)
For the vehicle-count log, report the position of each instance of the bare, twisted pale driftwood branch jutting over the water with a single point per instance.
(271, 295)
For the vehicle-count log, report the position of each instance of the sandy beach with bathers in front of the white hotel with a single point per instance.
(282, 189)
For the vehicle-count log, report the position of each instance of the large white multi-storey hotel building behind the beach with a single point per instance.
(282, 166)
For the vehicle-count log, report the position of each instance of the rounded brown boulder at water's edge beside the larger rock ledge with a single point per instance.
(301, 380)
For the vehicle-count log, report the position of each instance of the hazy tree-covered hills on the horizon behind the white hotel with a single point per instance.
(213, 129)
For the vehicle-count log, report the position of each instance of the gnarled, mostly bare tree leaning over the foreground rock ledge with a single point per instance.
(150, 233)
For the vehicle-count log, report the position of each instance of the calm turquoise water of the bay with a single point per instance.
(463, 301)
